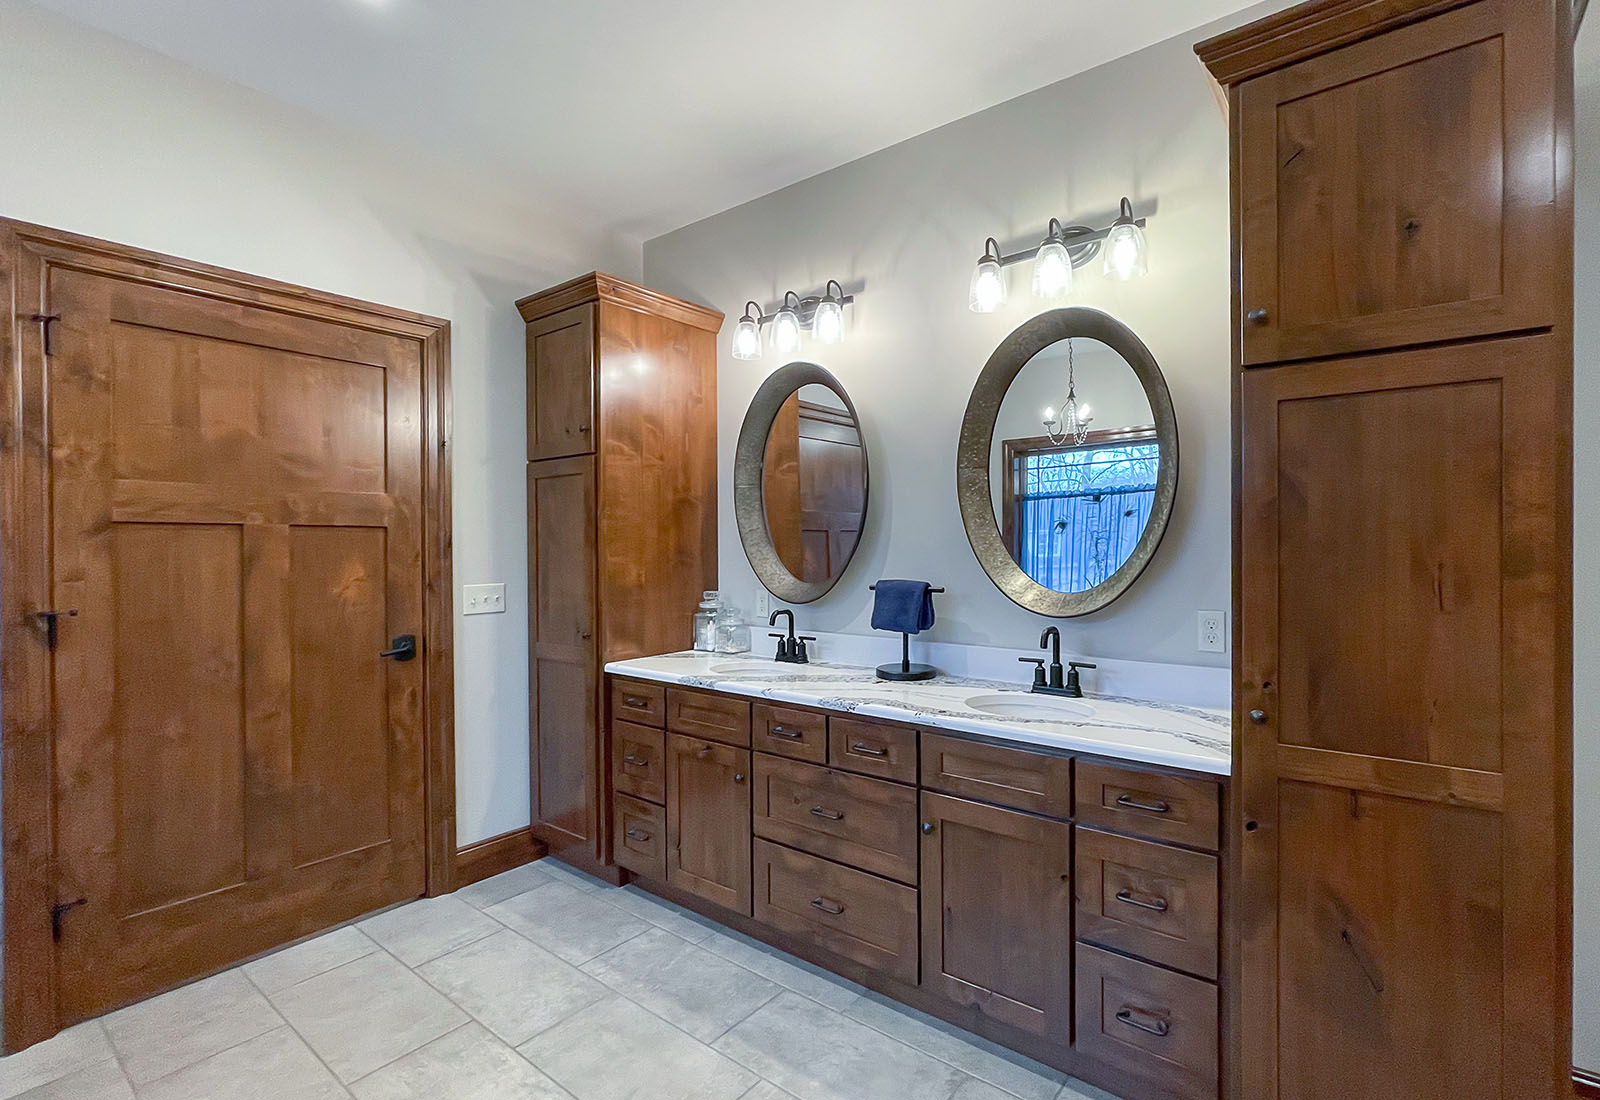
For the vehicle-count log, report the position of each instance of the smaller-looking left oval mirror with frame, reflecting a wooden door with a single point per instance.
(801, 482)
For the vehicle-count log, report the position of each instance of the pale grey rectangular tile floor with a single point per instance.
(540, 984)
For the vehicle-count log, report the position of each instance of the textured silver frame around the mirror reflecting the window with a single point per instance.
(974, 460)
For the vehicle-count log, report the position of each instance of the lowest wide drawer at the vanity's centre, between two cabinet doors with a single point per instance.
(842, 911)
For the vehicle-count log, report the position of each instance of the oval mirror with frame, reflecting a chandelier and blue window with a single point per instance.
(1068, 463)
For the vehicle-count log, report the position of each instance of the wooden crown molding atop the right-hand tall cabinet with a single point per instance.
(1308, 30)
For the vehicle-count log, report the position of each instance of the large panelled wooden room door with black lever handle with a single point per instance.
(236, 533)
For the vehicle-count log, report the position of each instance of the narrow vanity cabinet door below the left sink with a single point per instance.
(710, 821)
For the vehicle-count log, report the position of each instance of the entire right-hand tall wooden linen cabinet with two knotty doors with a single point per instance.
(1404, 301)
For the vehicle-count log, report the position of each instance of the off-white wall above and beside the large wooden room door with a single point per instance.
(110, 140)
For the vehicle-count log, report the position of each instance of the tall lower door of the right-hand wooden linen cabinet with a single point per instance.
(1404, 762)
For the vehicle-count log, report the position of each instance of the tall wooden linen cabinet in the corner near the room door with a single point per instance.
(622, 522)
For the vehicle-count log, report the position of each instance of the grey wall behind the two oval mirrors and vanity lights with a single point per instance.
(903, 228)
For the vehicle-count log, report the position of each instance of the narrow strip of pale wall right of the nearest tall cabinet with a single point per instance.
(1586, 556)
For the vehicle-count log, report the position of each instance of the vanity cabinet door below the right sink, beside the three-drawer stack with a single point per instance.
(998, 914)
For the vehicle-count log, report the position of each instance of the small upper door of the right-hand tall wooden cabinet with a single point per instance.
(1394, 193)
